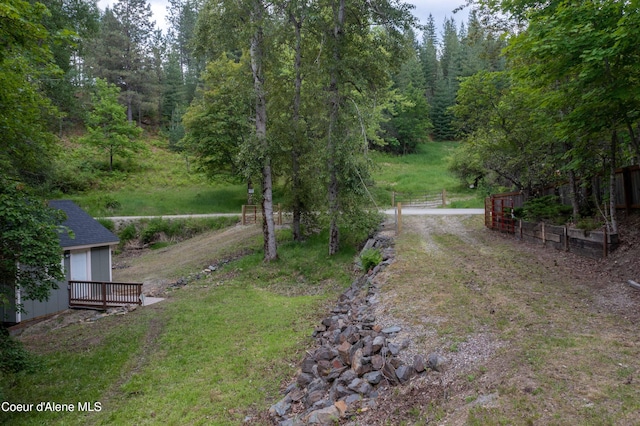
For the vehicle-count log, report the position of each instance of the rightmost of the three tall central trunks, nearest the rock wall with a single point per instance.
(334, 207)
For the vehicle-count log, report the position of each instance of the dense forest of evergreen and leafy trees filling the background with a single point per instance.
(297, 93)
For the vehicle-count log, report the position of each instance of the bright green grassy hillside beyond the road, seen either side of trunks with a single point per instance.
(159, 182)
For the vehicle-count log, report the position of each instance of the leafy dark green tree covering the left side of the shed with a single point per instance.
(30, 252)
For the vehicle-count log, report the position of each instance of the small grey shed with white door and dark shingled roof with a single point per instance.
(87, 258)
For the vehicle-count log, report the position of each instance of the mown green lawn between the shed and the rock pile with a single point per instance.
(216, 351)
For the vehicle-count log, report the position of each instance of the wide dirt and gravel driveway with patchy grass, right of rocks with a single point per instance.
(530, 336)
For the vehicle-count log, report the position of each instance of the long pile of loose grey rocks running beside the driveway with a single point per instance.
(354, 358)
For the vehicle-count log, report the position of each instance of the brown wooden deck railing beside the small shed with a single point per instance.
(99, 294)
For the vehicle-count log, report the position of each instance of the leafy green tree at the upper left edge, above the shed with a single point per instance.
(26, 145)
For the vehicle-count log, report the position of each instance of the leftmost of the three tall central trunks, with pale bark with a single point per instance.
(257, 58)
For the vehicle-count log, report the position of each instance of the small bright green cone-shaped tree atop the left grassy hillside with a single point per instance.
(107, 127)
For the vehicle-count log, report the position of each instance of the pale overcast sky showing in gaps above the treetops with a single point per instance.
(440, 9)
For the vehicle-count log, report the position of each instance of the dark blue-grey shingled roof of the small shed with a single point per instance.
(87, 231)
